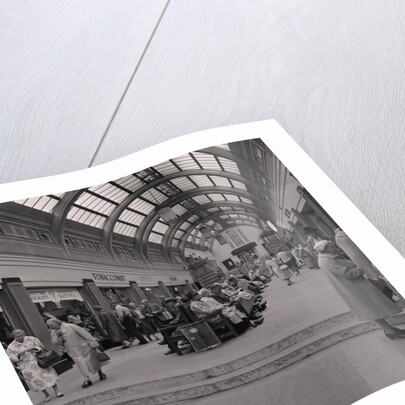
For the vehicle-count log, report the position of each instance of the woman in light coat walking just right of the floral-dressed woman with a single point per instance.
(80, 345)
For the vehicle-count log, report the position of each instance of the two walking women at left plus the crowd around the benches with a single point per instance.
(124, 324)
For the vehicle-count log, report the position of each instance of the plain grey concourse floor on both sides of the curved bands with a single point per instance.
(290, 309)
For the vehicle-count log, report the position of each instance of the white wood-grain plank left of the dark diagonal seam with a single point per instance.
(63, 68)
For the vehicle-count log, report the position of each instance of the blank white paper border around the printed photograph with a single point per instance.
(335, 203)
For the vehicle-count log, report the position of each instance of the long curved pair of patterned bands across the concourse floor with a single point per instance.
(314, 338)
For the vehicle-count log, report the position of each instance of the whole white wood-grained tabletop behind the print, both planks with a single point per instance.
(86, 82)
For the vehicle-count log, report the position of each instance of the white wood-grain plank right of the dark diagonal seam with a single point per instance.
(330, 72)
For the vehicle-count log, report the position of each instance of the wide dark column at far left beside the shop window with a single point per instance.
(22, 311)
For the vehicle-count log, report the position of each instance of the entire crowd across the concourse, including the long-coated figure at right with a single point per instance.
(236, 297)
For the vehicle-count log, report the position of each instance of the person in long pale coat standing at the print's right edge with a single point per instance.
(361, 296)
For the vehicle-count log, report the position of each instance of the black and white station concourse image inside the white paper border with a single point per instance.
(211, 278)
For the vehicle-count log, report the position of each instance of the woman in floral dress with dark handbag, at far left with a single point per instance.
(22, 352)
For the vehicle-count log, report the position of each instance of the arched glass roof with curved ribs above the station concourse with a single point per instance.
(202, 187)
